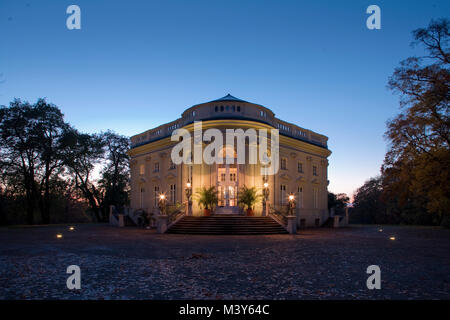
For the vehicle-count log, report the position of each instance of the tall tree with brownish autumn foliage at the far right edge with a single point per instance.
(416, 167)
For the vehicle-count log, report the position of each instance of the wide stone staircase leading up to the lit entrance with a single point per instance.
(227, 224)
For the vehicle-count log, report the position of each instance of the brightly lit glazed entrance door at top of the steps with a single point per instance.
(227, 185)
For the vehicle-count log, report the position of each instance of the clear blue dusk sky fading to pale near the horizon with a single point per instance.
(135, 65)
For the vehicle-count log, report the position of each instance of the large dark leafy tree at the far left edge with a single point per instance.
(31, 150)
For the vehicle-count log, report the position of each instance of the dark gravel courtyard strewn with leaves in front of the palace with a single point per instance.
(131, 263)
